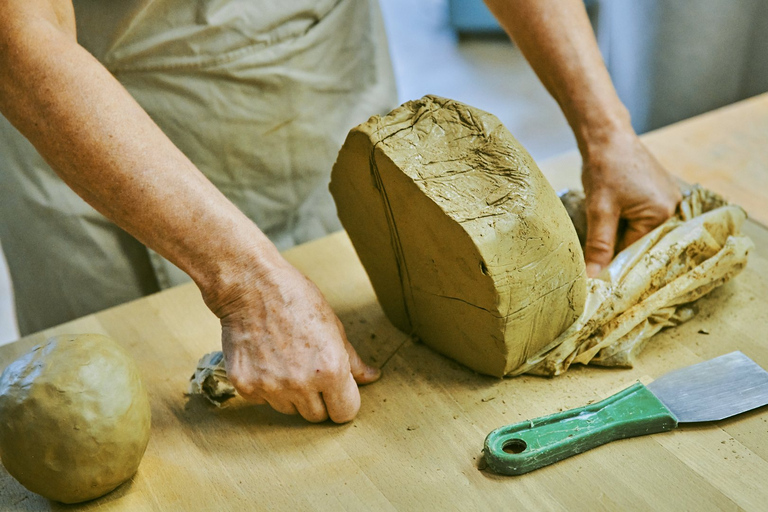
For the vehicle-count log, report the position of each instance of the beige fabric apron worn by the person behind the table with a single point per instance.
(258, 94)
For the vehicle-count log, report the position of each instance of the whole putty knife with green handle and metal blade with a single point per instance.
(713, 390)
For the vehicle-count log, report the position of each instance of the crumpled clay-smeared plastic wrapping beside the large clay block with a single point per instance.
(650, 285)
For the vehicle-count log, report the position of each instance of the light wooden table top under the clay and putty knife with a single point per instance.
(418, 436)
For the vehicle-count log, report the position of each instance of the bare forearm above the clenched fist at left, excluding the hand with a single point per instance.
(100, 141)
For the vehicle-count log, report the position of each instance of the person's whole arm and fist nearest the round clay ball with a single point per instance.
(283, 343)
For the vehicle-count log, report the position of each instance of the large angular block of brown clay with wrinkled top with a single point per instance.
(465, 242)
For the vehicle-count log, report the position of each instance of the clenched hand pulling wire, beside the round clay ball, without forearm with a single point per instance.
(285, 347)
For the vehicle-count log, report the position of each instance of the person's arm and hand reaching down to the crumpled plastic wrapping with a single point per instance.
(621, 179)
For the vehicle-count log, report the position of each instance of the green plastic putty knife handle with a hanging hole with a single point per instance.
(522, 447)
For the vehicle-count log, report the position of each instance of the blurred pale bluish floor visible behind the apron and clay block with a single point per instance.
(429, 58)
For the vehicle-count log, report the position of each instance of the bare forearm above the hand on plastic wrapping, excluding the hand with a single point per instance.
(557, 39)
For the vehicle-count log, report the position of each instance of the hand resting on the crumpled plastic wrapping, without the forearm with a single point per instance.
(622, 180)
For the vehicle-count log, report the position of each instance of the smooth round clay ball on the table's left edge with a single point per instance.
(74, 417)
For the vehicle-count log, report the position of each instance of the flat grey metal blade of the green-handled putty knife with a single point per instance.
(713, 390)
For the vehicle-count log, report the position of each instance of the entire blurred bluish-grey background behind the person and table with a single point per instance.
(669, 59)
